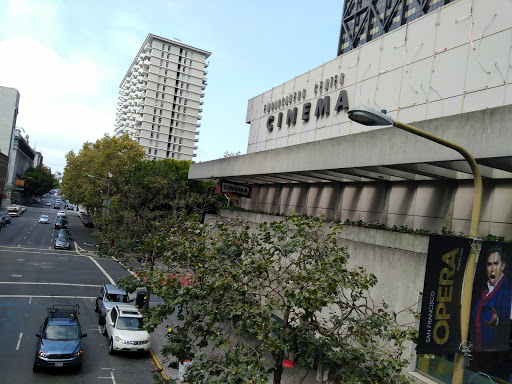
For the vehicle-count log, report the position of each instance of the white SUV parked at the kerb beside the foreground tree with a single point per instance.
(125, 329)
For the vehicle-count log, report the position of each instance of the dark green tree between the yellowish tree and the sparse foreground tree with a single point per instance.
(154, 198)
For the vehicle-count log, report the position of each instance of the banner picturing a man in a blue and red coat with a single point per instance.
(489, 325)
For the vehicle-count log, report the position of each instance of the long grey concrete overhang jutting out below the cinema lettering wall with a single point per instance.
(380, 154)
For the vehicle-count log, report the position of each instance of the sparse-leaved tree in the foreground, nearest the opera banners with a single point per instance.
(233, 294)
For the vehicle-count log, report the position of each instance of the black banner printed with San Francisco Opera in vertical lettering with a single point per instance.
(440, 310)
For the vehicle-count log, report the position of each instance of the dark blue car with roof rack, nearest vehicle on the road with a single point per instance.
(59, 341)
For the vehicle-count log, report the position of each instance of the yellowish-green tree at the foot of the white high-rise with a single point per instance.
(106, 159)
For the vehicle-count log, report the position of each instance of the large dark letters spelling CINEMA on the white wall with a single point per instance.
(323, 107)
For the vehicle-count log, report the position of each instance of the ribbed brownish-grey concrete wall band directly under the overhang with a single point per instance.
(428, 205)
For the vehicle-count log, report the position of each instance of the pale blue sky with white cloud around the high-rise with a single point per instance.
(68, 58)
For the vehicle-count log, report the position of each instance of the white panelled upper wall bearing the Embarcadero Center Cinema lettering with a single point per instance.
(451, 61)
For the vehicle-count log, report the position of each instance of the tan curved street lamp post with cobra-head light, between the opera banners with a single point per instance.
(371, 117)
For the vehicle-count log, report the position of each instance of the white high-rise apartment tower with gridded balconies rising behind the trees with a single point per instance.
(160, 98)
